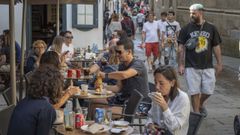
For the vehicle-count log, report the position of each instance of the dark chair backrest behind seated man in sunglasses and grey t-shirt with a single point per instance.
(132, 105)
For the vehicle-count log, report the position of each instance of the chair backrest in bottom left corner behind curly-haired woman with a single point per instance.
(5, 116)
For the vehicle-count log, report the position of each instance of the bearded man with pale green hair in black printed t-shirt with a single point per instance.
(197, 40)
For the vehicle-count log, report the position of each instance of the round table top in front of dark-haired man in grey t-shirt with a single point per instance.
(93, 95)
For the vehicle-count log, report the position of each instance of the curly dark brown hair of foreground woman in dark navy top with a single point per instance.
(46, 81)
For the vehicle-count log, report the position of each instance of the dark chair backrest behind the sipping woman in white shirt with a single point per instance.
(195, 120)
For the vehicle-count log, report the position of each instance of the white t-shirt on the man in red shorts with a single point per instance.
(151, 30)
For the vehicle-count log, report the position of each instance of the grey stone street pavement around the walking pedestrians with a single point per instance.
(223, 105)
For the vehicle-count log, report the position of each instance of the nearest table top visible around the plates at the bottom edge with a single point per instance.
(61, 129)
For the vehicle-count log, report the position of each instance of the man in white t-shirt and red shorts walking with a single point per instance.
(150, 37)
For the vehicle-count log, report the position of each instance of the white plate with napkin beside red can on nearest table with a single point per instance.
(95, 128)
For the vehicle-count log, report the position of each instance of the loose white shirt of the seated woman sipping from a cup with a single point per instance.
(175, 118)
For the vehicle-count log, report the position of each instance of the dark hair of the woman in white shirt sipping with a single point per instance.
(170, 74)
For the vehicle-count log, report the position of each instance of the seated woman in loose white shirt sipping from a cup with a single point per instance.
(170, 107)
